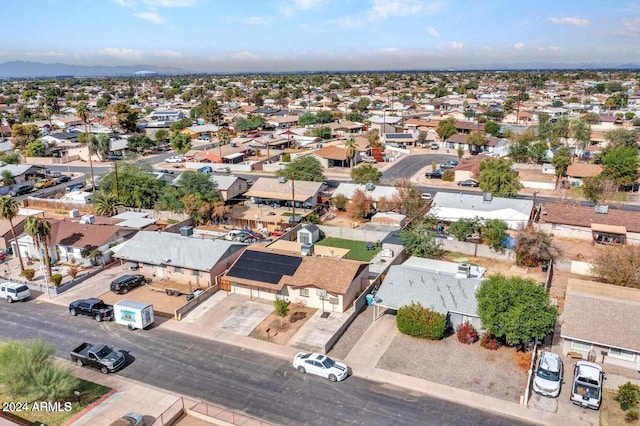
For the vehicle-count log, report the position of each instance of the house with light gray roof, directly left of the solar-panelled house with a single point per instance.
(185, 258)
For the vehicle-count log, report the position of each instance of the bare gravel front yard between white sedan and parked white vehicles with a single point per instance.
(449, 362)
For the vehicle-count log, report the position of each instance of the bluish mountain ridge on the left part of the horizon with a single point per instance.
(22, 69)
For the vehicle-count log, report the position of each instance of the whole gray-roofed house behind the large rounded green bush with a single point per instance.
(444, 287)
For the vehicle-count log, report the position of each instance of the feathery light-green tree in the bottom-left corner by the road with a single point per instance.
(28, 371)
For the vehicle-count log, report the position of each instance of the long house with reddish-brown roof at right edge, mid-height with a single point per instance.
(601, 224)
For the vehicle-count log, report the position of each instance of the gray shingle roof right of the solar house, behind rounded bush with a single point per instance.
(441, 293)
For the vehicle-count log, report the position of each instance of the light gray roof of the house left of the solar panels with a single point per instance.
(185, 252)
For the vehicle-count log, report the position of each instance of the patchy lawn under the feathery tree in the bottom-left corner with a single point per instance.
(89, 392)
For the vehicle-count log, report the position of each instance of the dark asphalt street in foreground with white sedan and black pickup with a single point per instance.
(261, 386)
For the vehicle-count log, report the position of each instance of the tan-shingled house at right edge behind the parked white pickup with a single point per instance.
(600, 321)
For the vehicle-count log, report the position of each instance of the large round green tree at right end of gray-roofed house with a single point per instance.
(515, 309)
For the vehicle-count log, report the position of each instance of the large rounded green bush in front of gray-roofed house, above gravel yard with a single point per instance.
(414, 320)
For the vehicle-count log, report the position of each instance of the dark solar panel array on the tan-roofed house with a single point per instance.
(264, 267)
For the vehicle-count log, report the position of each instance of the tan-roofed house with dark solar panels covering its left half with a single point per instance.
(326, 283)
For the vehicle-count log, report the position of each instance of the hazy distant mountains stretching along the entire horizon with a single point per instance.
(23, 69)
